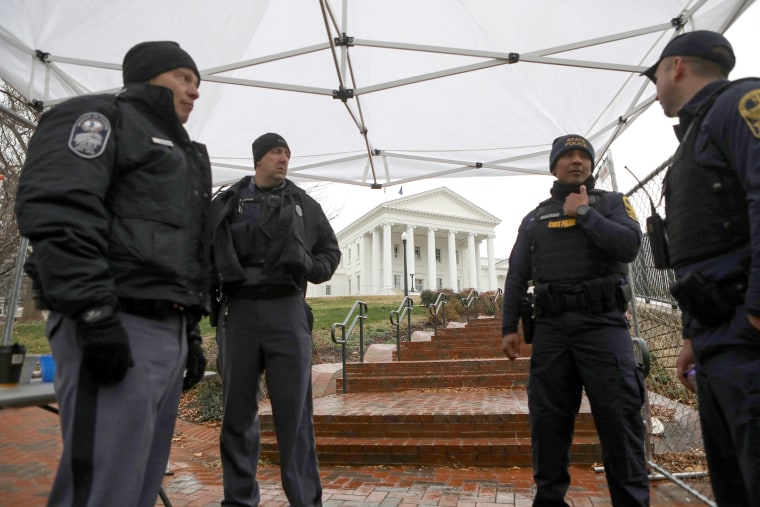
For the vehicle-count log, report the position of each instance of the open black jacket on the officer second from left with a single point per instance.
(302, 248)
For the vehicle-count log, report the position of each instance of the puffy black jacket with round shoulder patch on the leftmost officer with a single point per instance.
(115, 199)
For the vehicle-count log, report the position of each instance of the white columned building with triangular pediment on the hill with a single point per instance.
(449, 245)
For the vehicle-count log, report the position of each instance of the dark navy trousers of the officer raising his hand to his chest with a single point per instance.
(572, 351)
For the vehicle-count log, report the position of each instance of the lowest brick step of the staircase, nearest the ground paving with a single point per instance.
(428, 451)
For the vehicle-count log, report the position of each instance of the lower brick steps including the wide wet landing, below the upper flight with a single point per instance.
(428, 427)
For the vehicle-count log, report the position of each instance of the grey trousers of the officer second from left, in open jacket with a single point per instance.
(271, 336)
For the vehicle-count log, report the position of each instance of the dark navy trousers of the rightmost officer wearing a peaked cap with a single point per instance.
(728, 380)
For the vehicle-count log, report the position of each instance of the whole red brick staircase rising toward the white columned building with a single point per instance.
(454, 400)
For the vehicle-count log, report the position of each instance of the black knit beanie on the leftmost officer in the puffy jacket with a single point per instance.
(149, 59)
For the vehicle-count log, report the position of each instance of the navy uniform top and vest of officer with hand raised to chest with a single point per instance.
(610, 231)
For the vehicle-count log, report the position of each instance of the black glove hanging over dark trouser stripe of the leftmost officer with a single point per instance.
(106, 353)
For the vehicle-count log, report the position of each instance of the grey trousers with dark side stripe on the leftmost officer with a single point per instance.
(117, 438)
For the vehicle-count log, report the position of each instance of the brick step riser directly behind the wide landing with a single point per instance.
(381, 383)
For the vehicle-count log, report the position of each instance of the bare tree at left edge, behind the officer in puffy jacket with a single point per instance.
(17, 119)
